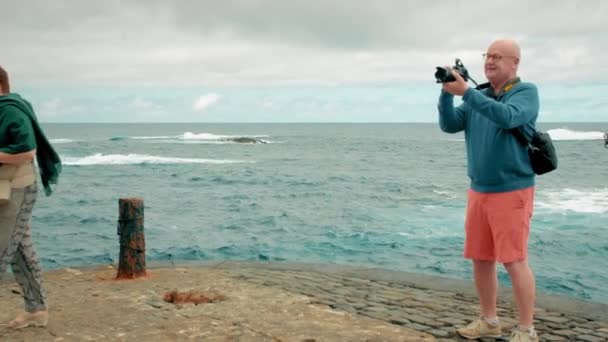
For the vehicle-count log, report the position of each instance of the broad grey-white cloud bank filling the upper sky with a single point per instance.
(211, 43)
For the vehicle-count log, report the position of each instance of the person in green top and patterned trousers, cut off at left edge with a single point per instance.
(22, 140)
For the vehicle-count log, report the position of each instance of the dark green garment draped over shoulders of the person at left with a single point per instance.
(49, 163)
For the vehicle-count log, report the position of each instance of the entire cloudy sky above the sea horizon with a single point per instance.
(289, 61)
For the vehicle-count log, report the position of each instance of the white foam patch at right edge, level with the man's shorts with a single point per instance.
(571, 200)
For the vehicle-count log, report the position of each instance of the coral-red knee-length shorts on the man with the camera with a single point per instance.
(497, 225)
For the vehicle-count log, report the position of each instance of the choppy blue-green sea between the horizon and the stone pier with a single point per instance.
(373, 195)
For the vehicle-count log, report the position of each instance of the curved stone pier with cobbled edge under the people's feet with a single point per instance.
(277, 302)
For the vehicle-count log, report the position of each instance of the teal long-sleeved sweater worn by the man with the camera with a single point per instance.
(496, 160)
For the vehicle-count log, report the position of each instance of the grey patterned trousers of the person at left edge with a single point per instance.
(16, 246)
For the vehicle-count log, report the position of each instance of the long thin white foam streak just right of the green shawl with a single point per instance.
(125, 159)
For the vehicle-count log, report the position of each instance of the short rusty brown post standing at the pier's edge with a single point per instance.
(132, 258)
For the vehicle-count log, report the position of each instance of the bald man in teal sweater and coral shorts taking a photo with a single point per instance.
(501, 194)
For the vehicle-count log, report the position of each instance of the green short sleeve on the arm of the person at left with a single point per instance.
(18, 132)
